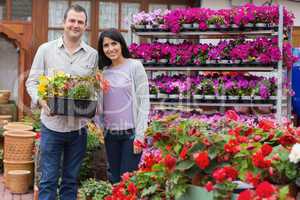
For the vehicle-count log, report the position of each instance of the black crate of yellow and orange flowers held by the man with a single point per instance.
(71, 95)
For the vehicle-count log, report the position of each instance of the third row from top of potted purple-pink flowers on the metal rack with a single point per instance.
(213, 88)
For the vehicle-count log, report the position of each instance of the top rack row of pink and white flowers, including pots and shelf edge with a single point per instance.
(248, 18)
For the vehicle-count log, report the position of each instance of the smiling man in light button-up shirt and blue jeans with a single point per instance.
(62, 136)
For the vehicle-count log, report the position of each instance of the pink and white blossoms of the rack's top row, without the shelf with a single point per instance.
(240, 16)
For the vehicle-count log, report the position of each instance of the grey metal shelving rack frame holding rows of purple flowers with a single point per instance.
(278, 103)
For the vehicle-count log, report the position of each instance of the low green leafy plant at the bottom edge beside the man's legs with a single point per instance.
(96, 190)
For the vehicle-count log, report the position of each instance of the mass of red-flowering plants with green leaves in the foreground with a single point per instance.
(218, 157)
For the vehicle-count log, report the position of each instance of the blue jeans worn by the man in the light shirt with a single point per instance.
(54, 145)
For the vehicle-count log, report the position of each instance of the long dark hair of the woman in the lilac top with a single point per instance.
(115, 35)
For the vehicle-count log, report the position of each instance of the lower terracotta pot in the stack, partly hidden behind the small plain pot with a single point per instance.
(18, 165)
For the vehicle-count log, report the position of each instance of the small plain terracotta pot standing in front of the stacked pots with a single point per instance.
(18, 181)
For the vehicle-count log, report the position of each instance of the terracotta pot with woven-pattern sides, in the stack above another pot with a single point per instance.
(18, 145)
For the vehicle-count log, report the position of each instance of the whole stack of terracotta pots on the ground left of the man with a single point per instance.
(18, 155)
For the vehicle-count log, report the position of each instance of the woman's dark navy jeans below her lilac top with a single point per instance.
(120, 156)
